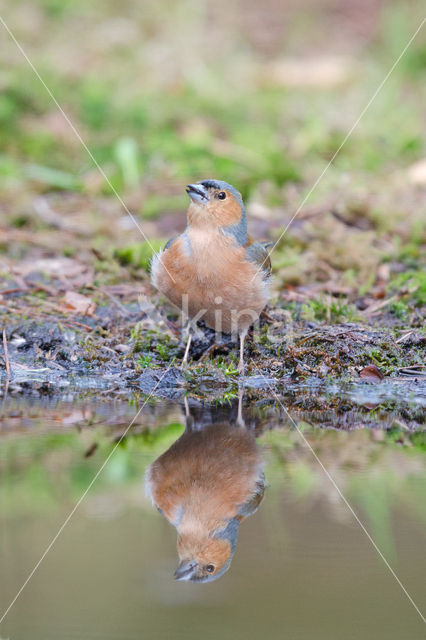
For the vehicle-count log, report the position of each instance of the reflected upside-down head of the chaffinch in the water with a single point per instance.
(206, 558)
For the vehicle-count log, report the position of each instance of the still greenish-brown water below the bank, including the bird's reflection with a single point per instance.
(266, 545)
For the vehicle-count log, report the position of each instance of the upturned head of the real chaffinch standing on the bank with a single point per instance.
(215, 203)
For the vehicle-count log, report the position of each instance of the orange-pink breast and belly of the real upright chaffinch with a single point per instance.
(207, 271)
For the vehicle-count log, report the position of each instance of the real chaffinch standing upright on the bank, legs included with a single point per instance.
(214, 271)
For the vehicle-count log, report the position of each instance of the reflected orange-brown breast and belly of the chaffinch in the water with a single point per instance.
(204, 477)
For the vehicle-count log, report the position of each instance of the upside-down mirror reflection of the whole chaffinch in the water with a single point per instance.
(205, 484)
